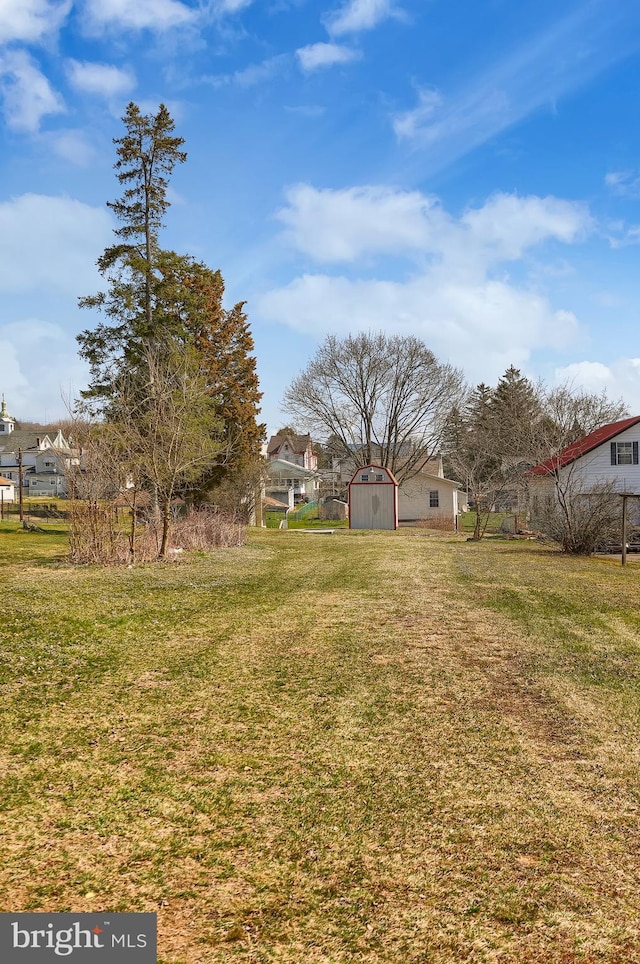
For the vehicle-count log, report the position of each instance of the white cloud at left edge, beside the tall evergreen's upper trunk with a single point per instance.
(52, 243)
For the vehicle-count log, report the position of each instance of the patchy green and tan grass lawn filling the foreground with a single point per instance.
(359, 747)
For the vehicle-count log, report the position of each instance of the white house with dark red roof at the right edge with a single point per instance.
(607, 456)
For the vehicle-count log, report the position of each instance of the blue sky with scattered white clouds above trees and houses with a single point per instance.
(467, 171)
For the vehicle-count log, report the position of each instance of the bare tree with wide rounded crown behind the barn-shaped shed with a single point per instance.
(382, 399)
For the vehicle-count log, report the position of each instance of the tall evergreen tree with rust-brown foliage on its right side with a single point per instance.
(161, 305)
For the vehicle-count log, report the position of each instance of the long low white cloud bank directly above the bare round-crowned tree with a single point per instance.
(483, 327)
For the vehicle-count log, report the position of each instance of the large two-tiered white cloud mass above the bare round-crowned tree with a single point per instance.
(455, 293)
